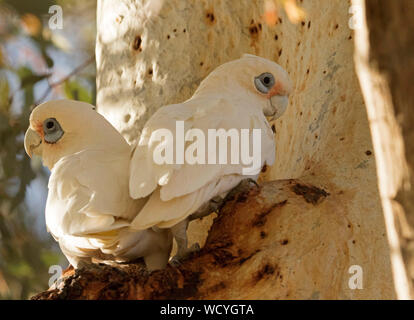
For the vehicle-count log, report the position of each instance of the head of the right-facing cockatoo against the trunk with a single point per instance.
(257, 76)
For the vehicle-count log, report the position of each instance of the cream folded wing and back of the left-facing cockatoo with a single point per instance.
(88, 194)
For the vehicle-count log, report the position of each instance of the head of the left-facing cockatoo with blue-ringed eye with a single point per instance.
(63, 127)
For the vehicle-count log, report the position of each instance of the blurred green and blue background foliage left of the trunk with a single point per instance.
(36, 64)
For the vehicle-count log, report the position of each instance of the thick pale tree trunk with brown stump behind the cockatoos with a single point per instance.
(293, 239)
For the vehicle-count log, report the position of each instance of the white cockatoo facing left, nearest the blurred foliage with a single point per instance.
(88, 208)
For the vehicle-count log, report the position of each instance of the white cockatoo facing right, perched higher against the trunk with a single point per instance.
(237, 95)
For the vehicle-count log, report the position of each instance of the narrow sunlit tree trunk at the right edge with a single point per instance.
(385, 61)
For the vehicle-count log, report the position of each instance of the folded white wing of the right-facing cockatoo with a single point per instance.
(188, 186)
